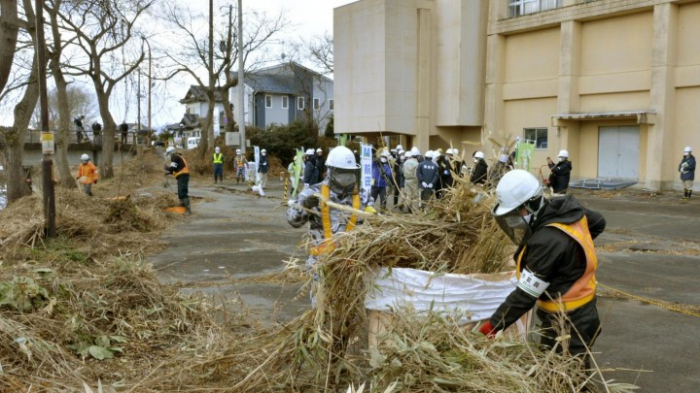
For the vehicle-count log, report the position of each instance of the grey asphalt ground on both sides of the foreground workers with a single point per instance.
(649, 250)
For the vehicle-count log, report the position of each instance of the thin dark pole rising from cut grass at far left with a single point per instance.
(46, 135)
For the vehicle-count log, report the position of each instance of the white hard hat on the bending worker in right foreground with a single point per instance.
(515, 188)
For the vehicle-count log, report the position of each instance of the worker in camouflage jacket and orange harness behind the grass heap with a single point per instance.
(339, 187)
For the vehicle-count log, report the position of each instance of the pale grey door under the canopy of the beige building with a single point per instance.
(618, 152)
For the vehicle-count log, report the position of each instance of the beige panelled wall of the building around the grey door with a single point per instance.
(596, 59)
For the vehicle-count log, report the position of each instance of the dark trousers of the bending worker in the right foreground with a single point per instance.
(583, 324)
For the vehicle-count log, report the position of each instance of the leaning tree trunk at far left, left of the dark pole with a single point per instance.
(14, 138)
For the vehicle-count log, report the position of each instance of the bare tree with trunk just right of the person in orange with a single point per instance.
(103, 29)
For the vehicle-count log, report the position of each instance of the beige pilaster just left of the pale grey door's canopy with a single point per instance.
(568, 99)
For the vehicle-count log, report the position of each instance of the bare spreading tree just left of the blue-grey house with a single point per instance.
(196, 56)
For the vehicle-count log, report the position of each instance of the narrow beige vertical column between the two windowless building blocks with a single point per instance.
(422, 139)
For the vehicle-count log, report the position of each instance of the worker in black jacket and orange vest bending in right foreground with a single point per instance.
(556, 262)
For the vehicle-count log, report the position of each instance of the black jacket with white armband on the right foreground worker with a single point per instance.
(551, 255)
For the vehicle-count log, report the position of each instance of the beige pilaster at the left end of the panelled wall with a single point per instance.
(495, 70)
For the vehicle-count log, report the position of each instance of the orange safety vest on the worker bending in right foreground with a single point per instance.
(583, 290)
